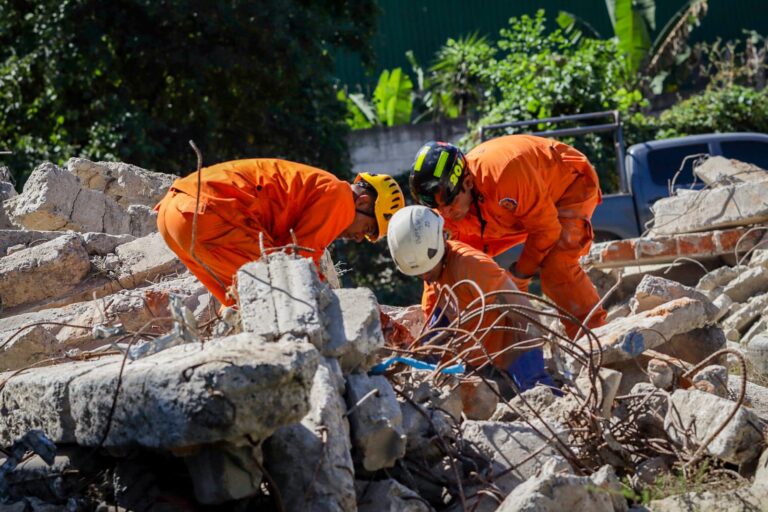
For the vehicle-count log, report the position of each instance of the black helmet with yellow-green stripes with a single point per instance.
(438, 169)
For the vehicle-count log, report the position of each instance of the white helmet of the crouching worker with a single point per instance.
(415, 238)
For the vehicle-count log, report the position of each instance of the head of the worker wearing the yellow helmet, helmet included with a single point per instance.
(377, 198)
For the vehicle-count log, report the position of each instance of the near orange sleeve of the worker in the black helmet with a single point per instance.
(535, 211)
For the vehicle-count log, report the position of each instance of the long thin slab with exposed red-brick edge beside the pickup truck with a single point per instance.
(668, 248)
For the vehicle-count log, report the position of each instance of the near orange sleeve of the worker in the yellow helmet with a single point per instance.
(325, 216)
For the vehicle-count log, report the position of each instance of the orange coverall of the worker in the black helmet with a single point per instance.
(541, 192)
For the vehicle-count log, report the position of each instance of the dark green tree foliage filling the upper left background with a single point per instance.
(136, 80)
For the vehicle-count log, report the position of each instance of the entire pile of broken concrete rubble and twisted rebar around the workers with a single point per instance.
(124, 386)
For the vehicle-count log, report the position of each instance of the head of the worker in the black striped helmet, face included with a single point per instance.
(439, 179)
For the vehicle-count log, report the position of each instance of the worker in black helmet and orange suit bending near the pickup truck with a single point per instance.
(515, 189)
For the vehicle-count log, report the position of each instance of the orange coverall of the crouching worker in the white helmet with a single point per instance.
(460, 262)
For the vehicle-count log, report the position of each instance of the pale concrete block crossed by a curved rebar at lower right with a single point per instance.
(701, 414)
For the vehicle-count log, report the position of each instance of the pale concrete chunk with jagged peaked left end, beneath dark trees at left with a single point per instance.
(53, 199)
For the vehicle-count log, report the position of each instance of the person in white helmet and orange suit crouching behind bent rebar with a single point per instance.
(418, 247)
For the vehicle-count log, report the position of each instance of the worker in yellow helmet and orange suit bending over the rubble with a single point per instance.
(244, 201)
